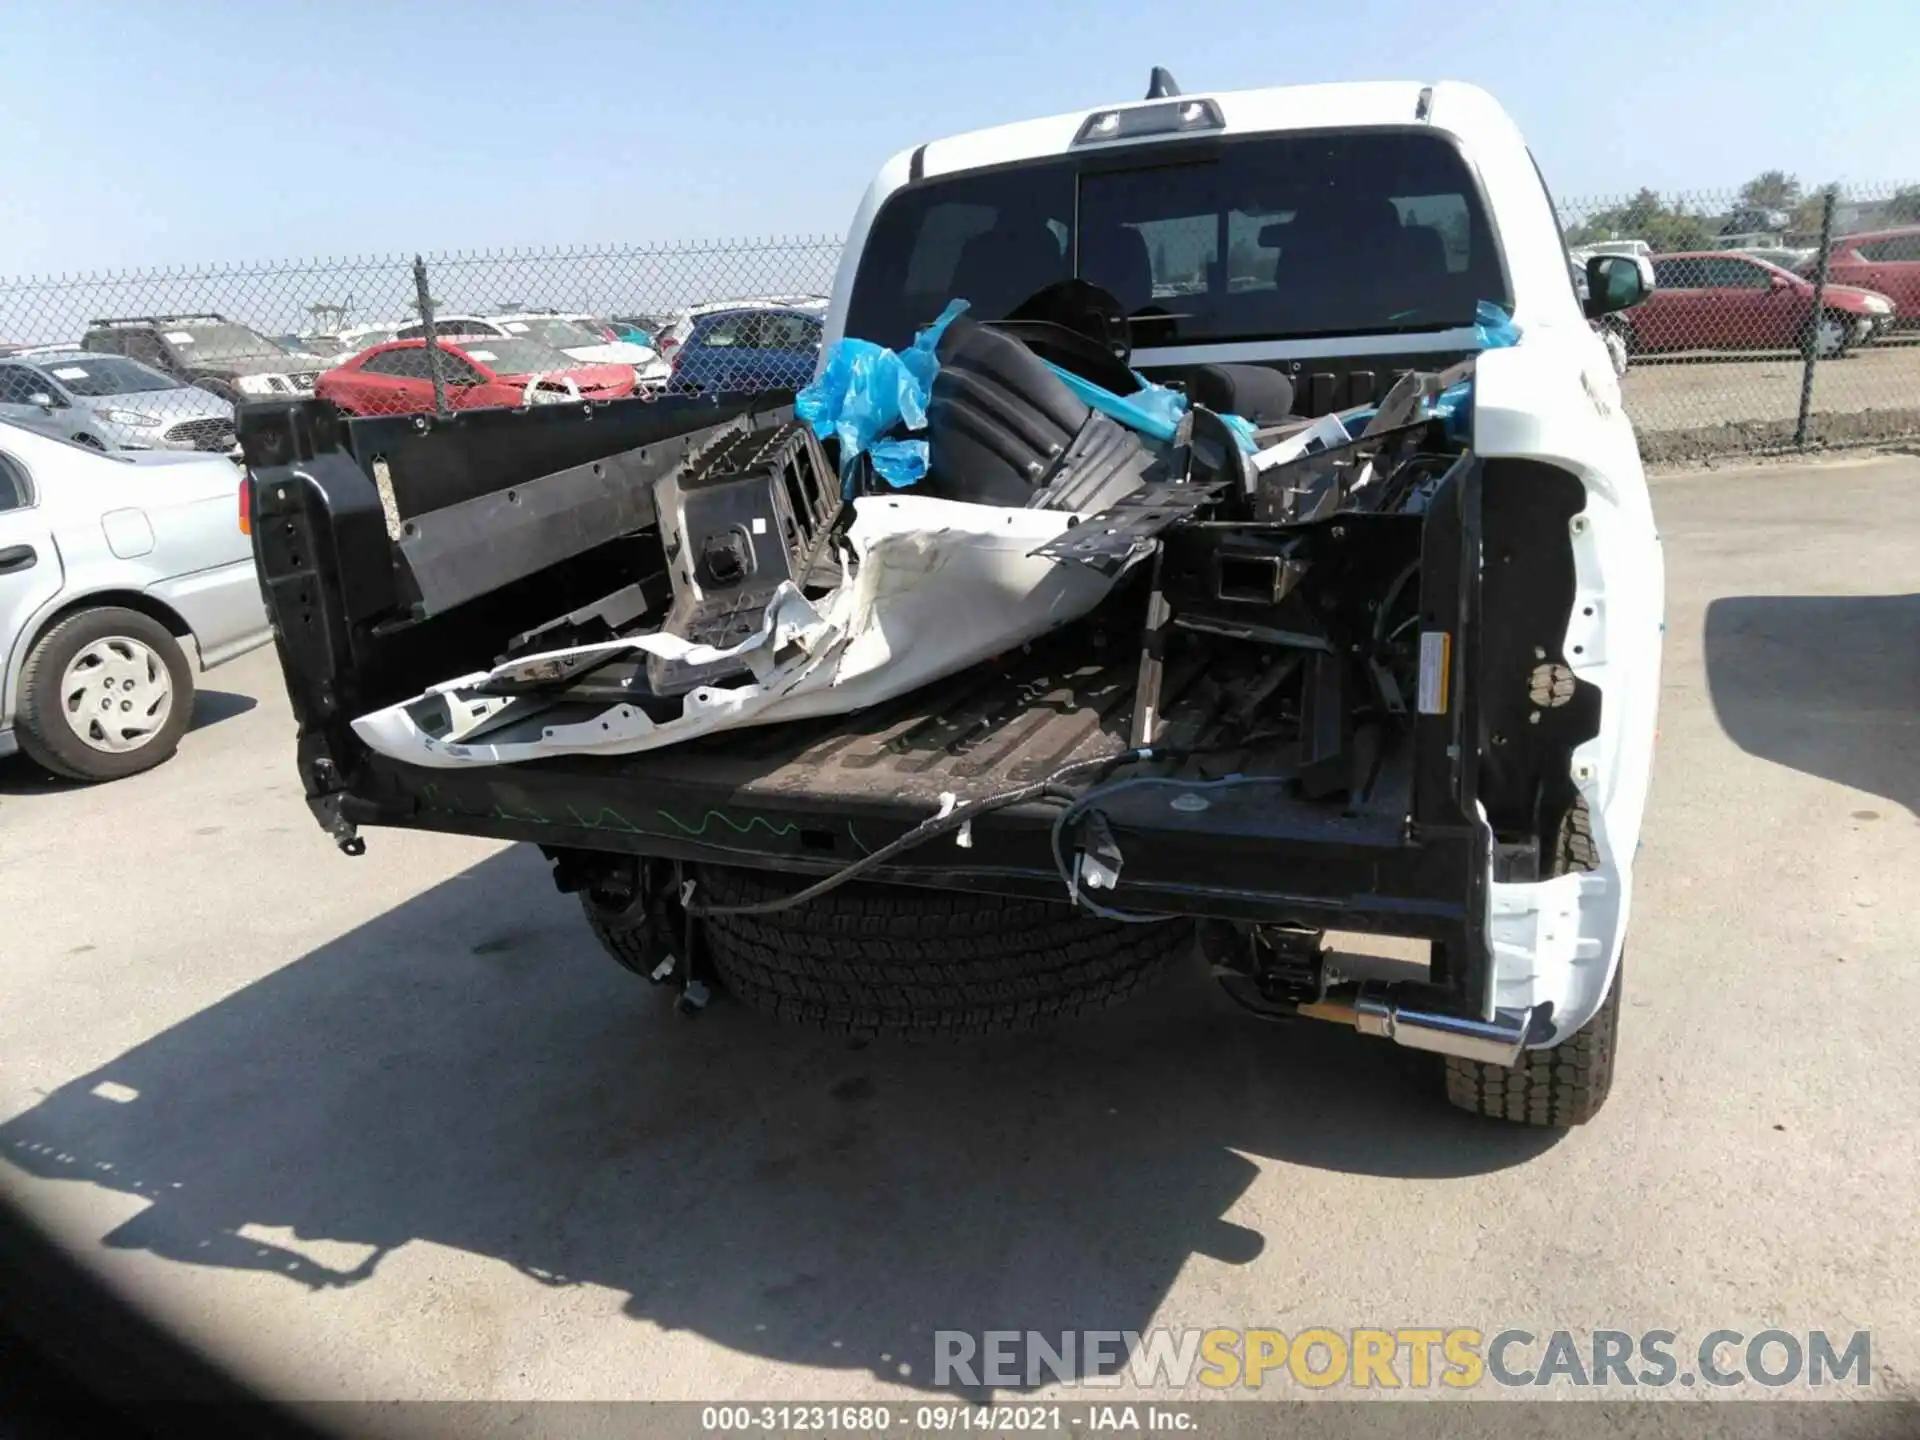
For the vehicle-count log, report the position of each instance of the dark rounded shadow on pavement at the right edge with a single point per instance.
(1825, 684)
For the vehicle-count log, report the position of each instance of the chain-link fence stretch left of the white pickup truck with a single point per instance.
(156, 360)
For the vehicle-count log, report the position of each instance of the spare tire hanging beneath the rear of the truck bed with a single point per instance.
(900, 961)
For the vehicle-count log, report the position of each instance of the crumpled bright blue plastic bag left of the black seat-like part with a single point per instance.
(865, 391)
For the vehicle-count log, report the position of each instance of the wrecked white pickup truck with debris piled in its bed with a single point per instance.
(1259, 554)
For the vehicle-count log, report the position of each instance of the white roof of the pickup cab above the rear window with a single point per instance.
(1454, 107)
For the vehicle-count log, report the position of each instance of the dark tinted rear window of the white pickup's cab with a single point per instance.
(1284, 235)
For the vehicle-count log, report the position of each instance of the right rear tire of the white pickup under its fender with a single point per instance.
(1568, 1084)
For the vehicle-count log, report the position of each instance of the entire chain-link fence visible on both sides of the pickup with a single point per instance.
(1783, 320)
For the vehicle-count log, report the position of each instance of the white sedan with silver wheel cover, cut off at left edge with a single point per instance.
(118, 577)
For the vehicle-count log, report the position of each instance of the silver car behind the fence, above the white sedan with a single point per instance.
(112, 402)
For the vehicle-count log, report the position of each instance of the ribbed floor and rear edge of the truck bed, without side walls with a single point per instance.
(813, 796)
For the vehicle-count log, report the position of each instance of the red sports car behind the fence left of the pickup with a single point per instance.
(479, 372)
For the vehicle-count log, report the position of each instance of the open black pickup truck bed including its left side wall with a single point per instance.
(410, 550)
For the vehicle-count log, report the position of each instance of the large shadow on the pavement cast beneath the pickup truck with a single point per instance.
(469, 1070)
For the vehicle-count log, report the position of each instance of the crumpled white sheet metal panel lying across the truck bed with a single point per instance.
(940, 587)
